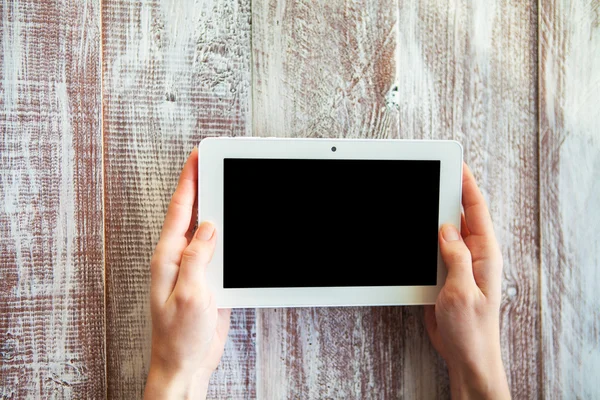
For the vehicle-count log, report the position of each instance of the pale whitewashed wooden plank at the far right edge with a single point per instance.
(570, 197)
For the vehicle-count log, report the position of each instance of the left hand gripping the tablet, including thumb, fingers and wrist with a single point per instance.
(188, 332)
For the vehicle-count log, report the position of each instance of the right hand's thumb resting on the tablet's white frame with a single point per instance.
(456, 255)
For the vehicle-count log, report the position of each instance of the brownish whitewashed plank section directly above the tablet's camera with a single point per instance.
(324, 68)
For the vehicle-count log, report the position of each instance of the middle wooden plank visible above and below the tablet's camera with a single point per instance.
(326, 69)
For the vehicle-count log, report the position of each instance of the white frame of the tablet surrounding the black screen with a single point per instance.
(212, 152)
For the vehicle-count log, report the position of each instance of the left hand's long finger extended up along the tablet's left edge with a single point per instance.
(179, 213)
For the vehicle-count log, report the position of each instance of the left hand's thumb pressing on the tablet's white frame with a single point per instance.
(191, 281)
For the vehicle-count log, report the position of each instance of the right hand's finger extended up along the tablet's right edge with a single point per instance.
(477, 216)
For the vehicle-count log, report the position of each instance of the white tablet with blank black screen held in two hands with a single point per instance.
(327, 222)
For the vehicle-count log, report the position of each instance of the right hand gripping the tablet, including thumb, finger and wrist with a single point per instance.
(464, 324)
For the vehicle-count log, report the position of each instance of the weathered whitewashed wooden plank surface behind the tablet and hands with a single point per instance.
(101, 101)
